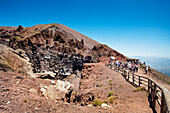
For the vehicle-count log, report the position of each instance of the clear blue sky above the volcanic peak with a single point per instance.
(132, 27)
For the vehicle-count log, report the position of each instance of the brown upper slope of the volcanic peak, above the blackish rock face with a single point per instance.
(55, 37)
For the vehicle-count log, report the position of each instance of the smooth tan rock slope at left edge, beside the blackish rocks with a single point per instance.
(10, 60)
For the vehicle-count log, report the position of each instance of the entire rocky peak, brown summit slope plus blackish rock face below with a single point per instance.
(55, 48)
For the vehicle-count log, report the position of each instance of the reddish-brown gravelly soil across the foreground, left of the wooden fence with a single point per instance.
(15, 95)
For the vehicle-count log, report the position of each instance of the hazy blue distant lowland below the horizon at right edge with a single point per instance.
(160, 64)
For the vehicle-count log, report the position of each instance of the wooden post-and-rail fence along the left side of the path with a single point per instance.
(158, 96)
